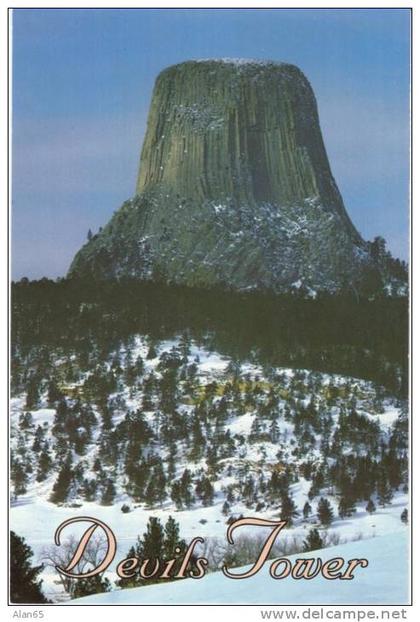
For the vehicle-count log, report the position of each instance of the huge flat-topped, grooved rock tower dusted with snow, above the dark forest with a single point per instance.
(234, 187)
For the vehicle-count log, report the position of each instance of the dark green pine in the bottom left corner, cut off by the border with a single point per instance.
(25, 587)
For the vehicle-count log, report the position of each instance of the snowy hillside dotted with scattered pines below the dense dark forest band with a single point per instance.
(171, 428)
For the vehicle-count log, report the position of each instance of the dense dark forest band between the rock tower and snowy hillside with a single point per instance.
(336, 334)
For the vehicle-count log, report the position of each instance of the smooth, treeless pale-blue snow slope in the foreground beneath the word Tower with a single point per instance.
(384, 581)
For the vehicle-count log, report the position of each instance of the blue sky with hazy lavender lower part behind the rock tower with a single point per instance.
(82, 82)
